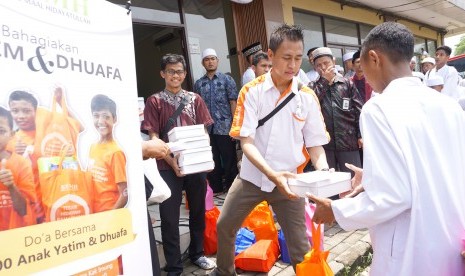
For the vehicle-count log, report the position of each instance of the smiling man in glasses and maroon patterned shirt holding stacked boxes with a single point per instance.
(172, 107)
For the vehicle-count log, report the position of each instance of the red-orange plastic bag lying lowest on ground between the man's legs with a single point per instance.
(260, 257)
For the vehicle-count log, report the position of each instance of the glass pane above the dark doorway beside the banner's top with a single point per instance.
(158, 11)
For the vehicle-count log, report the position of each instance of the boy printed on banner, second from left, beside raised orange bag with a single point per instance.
(23, 107)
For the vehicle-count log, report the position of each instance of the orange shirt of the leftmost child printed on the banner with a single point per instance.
(24, 181)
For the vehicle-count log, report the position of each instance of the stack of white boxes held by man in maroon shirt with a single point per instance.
(194, 151)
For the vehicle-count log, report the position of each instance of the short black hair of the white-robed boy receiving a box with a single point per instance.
(391, 38)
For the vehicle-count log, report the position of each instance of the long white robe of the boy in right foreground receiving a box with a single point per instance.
(414, 180)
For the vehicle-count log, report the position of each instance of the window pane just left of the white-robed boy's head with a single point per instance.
(338, 31)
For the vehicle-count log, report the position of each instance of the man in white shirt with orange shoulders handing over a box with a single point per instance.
(274, 150)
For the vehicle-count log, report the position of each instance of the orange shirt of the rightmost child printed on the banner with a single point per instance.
(107, 163)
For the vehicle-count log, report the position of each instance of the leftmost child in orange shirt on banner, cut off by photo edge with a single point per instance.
(17, 189)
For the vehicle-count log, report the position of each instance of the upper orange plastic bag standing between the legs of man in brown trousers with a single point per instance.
(261, 222)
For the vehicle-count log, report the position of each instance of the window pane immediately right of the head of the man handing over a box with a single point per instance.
(313, 34)
